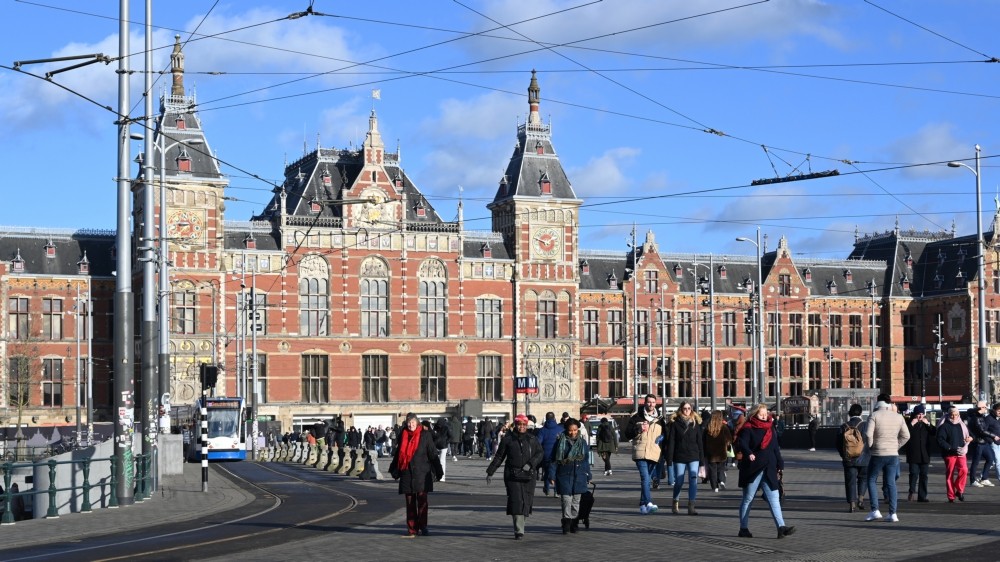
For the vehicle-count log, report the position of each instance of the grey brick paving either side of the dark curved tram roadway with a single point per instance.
(467, 520)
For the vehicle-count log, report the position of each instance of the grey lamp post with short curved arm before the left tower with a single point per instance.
(163, 358)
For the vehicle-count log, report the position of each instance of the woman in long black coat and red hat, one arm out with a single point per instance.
(521, 454)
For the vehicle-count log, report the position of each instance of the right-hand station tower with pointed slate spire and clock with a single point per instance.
(537, 213)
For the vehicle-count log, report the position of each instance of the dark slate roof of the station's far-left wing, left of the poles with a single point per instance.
(70, 247)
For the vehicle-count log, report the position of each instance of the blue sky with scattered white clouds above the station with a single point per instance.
(872, 89)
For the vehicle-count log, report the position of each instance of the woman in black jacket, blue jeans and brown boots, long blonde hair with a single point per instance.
(685, 449)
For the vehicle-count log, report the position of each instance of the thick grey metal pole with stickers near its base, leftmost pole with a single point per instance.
(123, 367)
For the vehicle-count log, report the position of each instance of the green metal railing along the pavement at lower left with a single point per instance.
(143, 484)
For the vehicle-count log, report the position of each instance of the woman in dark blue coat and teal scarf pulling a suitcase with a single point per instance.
(571, 458)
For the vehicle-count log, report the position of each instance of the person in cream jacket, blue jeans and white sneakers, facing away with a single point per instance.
(886, 433)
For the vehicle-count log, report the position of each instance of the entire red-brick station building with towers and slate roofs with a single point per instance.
(366, 304)
